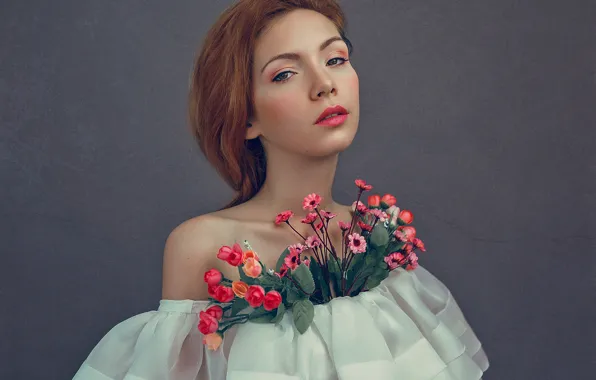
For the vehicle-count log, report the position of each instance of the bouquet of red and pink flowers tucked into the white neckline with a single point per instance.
(384, 241)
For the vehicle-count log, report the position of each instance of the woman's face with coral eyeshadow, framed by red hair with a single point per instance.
(289, 95)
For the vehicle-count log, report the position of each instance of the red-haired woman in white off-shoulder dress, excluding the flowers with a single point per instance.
(257, 118)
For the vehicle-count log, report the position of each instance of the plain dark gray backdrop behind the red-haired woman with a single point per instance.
(486, 107)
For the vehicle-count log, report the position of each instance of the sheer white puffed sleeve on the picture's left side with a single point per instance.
(164, 344)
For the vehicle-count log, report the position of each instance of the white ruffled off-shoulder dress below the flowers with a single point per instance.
(408, 328)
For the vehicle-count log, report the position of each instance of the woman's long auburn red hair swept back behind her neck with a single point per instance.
(220, 93)
